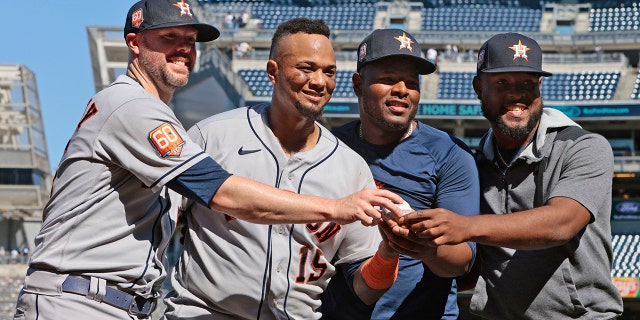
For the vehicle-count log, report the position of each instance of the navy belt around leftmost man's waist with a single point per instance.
(135, 305)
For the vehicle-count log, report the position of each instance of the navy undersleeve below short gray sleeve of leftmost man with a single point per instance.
(200, 182)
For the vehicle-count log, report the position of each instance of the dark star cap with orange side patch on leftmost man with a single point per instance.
(156, 14)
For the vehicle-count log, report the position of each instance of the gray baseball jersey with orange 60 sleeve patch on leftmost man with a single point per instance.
(108, 216)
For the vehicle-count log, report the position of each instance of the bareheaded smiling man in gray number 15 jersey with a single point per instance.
(232, 269)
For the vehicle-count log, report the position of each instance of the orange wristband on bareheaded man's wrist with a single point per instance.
(379, 273)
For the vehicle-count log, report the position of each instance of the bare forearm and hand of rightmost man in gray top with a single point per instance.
(547, 226)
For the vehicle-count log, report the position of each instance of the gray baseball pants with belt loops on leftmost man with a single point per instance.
(42, 298)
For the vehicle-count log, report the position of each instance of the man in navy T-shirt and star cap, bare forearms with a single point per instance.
(427, 167)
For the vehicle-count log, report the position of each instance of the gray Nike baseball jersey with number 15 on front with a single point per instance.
(233, 269)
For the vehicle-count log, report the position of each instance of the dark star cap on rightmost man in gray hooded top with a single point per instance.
(510, 52)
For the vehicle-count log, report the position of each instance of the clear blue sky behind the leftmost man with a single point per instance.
(50, 39)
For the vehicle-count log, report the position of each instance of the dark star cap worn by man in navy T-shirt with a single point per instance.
(382, 43)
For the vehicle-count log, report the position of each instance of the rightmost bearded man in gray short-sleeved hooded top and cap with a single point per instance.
(544, 232)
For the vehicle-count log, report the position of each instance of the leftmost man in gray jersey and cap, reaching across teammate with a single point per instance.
(100, 253)
